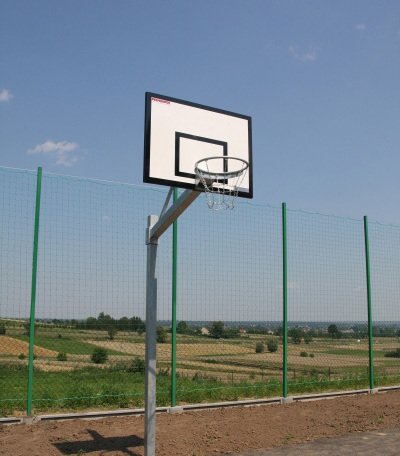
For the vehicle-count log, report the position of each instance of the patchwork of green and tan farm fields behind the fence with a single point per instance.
(207, 369)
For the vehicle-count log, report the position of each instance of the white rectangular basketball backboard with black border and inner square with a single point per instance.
(179, 133)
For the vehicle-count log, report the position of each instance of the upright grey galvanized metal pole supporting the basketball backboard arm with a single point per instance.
(151, 330)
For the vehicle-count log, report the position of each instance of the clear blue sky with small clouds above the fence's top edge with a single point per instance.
(321, 80)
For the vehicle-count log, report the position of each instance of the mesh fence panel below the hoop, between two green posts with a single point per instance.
(230, 295)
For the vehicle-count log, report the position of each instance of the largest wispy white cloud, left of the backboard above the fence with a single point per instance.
(63, 153)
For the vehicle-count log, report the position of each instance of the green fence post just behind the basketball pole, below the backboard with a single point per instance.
(174, 284)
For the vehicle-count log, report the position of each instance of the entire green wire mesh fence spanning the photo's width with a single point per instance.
(89, 339)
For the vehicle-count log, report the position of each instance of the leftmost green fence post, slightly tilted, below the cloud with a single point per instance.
(33, 292)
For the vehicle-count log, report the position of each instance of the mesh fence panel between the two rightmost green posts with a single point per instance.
(327, 312)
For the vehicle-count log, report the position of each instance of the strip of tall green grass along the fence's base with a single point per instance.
(115, 387)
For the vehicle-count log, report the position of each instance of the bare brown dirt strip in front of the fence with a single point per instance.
(208, 432)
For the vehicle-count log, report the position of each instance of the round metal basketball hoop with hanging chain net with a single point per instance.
(221, 178)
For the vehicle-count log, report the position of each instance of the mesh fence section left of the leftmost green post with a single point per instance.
(17, 215)
